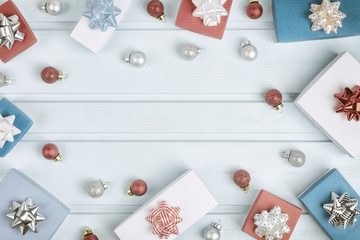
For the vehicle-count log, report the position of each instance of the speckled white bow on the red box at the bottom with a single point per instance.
(271, 224)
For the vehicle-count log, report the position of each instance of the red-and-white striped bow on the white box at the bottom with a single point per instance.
(165, 220)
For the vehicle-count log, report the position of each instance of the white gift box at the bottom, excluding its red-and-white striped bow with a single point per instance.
(187, 192)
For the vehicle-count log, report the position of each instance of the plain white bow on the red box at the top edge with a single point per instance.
(210, 11)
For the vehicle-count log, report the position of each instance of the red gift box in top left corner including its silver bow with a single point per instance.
(15, 34)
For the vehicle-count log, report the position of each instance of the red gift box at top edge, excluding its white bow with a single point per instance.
(185, 20)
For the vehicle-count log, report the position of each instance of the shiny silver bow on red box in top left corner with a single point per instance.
(9, 32)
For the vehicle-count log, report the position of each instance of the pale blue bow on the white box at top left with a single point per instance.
(101, 14)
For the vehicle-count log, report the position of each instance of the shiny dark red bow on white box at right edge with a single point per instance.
(349, 103)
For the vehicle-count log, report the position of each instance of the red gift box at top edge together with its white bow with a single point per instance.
(198, 16)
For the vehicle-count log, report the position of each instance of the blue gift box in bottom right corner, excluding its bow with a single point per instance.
(319, 194)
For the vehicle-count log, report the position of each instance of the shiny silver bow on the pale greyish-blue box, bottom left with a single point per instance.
(25, 216)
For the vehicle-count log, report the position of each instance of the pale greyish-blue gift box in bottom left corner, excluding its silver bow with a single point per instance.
(18, 187)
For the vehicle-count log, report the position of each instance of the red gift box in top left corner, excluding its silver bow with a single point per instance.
(9, 9)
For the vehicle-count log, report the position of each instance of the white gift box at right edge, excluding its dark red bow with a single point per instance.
(317, 101)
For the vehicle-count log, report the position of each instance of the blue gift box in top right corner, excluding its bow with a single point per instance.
(292, 23)
